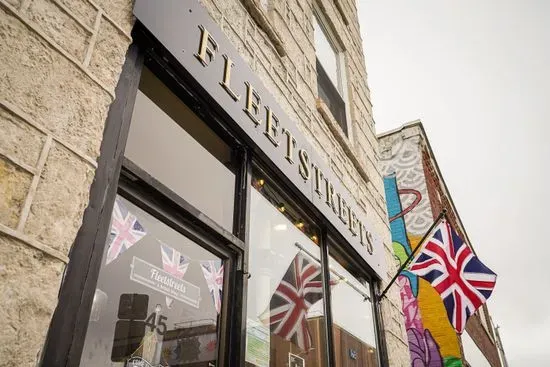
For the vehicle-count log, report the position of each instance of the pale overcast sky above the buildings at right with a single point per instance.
(477, 73)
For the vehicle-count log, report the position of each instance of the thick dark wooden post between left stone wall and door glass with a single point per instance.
(65, 338)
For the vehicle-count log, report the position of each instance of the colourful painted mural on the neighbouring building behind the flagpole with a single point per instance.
(432, 340)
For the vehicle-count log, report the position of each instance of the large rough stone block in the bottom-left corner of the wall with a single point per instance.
(29, 283)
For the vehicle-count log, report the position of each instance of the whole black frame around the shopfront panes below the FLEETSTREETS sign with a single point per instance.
(118, 175)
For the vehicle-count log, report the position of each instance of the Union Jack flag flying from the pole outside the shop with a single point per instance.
(461, 279)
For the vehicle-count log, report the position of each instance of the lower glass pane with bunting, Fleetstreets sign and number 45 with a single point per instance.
(158, 296)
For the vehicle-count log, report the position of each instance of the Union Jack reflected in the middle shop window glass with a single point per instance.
(300, 288)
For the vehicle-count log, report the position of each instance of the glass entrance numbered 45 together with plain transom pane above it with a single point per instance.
(158, 300)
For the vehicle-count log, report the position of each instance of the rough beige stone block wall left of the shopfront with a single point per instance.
(59, 65)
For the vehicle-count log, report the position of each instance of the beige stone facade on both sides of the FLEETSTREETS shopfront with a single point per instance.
(59, 65)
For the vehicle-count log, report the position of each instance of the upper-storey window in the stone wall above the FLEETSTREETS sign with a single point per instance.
(330, 73)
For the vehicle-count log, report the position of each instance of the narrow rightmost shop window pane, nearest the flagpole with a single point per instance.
(352, 317)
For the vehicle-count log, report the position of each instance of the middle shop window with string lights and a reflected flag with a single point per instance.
(285, 313)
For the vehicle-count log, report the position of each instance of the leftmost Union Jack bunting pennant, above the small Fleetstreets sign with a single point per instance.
(126, 231)
